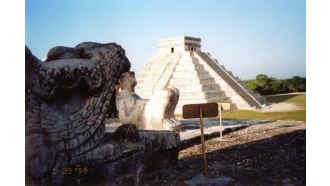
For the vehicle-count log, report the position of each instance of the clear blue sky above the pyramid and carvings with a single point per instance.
(248, 37)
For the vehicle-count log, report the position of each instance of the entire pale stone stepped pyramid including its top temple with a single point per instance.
(180, 63)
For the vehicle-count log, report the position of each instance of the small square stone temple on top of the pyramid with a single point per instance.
(179, 44)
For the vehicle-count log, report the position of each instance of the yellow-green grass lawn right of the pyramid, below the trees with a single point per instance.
(299, 115)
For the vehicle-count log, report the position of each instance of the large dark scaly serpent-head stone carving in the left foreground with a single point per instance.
(68, 98)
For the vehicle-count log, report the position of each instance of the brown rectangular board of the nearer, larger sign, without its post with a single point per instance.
(193, 110)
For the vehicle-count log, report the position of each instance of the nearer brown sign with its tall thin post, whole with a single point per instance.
(200, 111)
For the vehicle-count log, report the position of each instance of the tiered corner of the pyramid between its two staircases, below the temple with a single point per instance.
(195, 84)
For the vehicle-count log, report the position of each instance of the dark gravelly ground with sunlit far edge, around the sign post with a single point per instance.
(265, 154)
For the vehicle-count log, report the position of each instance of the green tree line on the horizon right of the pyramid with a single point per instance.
(265, 85)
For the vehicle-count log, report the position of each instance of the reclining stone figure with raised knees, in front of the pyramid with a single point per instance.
(154, 114)
